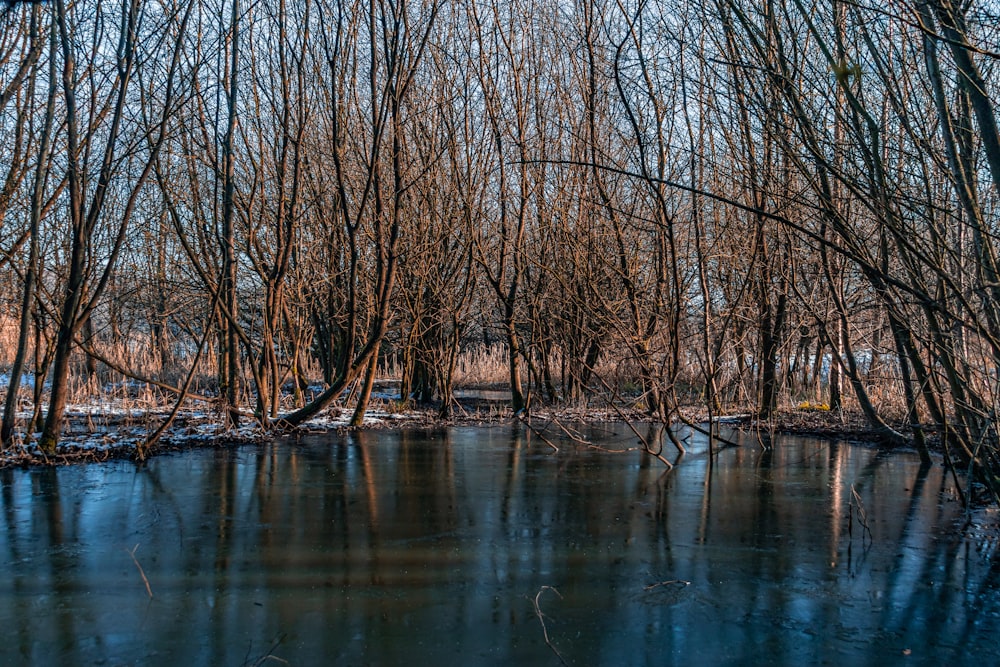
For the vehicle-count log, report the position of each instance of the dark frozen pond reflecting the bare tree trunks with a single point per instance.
(430, 549)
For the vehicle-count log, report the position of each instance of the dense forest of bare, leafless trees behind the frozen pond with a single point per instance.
(742, 206)
